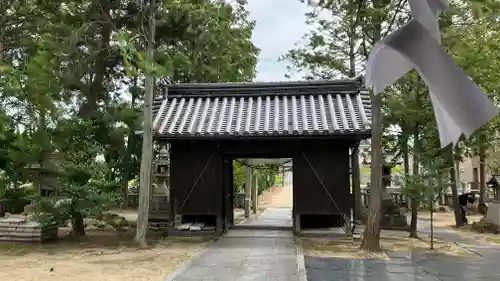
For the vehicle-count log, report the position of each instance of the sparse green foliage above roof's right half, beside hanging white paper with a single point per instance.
(338, 45)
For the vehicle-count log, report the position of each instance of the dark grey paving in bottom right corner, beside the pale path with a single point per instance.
(425, 267)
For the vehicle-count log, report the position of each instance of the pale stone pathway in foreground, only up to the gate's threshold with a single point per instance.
(245, 255)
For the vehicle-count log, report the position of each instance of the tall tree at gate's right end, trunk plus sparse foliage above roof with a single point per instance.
(337, 47)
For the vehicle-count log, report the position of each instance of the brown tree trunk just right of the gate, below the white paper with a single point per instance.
(371, 235)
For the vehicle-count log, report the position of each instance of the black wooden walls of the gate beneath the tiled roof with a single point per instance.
(329, 158)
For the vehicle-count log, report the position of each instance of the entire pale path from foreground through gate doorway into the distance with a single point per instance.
(252, 254)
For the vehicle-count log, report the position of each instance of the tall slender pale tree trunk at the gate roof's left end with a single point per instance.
(147, 142)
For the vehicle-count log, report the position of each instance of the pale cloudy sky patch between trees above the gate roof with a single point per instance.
(280, 24)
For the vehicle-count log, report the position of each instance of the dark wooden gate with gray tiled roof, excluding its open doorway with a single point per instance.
(317, 123)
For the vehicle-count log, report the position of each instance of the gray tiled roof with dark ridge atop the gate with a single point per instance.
(263, 109)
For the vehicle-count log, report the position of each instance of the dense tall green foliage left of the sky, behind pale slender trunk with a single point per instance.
(71, 70)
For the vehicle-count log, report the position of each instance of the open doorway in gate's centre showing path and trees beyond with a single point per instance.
(262, 193)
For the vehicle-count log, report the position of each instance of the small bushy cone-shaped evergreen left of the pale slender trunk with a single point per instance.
(84, 190)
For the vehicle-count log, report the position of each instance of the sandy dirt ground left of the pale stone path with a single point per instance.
(106, 255)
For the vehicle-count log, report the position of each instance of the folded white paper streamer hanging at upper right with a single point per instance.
(459, 105)
